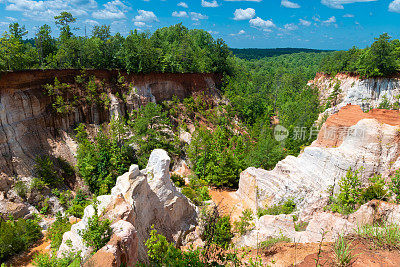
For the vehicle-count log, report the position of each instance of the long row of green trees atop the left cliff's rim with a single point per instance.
(171, 49)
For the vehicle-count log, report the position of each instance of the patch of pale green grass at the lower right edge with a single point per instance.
(385, 236)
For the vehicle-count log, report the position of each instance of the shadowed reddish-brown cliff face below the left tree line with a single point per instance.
(29, 125)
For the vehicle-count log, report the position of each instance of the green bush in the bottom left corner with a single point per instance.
(17, 236)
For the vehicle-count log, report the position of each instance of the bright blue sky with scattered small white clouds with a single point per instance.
(324, 24)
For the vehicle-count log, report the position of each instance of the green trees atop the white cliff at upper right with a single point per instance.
(381, 59)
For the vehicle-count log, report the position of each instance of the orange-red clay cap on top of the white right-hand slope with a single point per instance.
(348, 116)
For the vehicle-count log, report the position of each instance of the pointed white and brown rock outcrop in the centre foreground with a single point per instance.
(141, 199)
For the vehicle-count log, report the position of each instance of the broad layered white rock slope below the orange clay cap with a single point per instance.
(306, 178)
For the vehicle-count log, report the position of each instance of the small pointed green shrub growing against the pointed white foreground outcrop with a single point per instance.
(97, 232)
